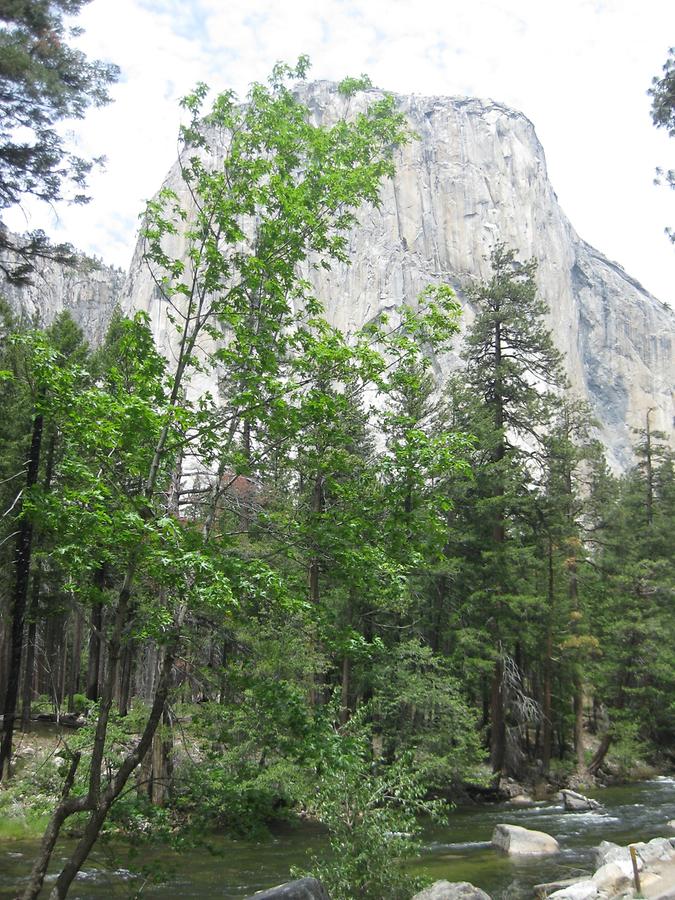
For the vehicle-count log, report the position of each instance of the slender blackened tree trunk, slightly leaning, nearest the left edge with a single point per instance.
(22, 559)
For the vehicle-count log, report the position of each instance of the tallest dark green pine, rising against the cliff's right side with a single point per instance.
(513, 372)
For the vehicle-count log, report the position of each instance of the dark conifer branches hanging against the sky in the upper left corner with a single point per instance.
(44, 81)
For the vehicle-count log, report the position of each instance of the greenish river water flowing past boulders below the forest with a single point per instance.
(458, 851)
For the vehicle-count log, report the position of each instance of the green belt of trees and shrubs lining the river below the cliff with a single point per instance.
(336, 589)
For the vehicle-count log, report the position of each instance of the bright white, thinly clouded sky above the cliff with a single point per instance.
(579, 69)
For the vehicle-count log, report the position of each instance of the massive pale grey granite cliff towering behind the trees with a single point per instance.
(475, 174)
